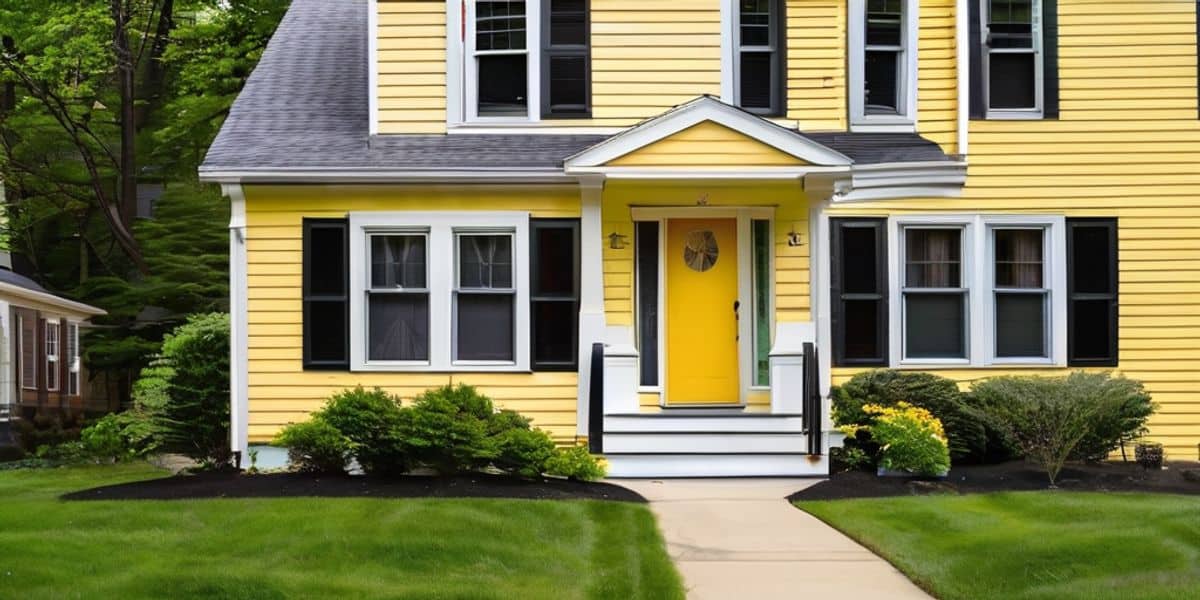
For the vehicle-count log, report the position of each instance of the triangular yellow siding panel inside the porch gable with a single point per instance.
(707, 145)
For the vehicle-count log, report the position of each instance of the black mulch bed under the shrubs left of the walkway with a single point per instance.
(295, 485)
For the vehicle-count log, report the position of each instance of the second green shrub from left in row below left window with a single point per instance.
(371, 422)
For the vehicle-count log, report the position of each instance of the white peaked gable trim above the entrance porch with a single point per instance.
(707, 109)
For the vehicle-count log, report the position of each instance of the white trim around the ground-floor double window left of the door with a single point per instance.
(442, 257)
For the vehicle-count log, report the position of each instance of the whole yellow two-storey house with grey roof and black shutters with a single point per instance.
(669, 227)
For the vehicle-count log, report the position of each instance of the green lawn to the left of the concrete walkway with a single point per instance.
(319, 548)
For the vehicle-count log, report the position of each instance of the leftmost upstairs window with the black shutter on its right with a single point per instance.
(525, 61)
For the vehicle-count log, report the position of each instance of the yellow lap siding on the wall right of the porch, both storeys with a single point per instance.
(1126, 146)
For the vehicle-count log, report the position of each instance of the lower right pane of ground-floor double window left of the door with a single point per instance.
(485, 327)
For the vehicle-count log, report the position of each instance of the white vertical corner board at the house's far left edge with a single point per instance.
(239, 340)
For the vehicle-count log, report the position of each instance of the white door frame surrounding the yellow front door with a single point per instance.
(745, 217)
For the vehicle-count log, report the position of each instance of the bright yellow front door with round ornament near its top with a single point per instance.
(701, 260)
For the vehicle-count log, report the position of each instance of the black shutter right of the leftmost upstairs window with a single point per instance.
(566, 59)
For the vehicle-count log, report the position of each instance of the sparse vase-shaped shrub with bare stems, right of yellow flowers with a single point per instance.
(1046, 418)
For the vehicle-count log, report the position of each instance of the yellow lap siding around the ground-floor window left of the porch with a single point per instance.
(281, 392)
